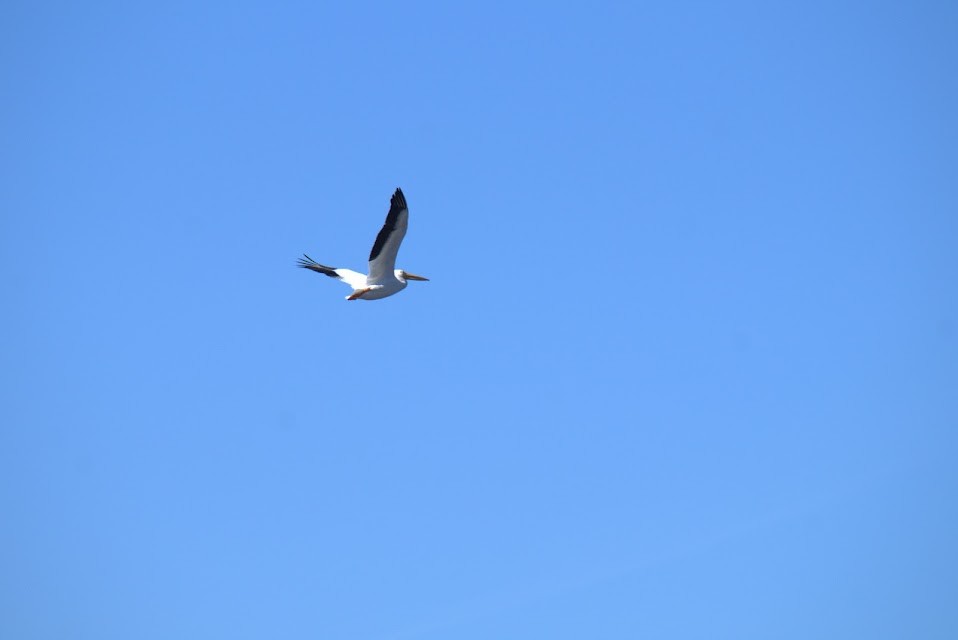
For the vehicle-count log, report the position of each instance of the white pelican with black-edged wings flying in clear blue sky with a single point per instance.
(384, 278)
